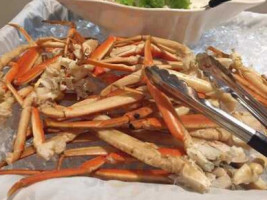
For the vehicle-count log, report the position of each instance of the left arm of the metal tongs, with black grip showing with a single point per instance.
(178, 89)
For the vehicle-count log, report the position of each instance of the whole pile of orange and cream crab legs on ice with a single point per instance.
(137, 121)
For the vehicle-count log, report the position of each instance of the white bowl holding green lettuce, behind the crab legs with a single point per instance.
(182, 25)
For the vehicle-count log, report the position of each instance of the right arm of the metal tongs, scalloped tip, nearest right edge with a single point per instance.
(223, 80)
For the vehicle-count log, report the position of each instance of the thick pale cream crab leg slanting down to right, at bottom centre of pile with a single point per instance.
(148, 154)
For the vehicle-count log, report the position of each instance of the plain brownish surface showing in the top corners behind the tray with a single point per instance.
(10, 8)
